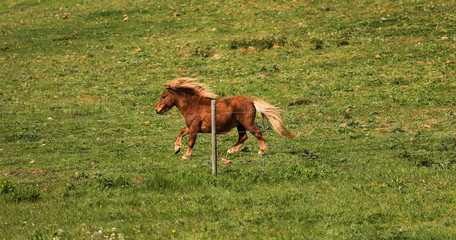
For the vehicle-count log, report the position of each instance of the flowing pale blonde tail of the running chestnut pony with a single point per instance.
(273, 116)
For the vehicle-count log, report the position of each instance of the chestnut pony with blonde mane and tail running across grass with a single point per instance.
(193, 100)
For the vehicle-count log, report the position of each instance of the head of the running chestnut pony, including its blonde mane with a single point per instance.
(178, 88)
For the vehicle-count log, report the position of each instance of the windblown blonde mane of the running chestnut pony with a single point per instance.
(190, 84)
